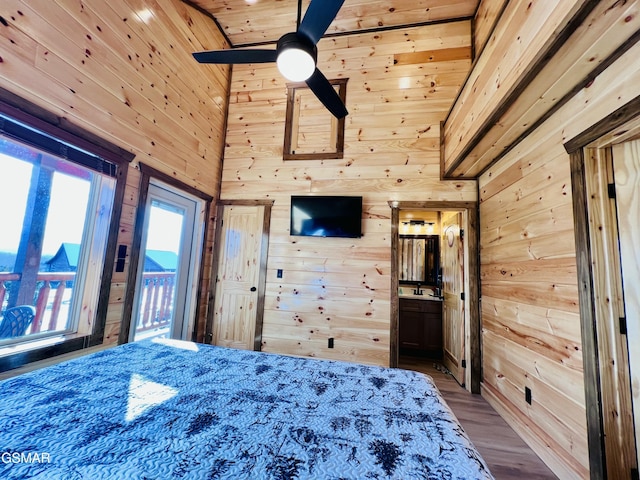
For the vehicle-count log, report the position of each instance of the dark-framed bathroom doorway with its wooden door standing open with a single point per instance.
(458, 287)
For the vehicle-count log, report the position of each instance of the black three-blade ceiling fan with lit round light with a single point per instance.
(295, 54)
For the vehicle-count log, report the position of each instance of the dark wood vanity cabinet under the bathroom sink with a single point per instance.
(421, 327)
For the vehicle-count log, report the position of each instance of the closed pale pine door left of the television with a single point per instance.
(238, 277)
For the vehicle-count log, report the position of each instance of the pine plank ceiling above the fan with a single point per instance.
(254, 22)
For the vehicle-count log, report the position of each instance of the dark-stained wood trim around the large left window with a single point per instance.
(61, 129)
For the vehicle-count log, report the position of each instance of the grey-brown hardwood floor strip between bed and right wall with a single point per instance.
(506, 454)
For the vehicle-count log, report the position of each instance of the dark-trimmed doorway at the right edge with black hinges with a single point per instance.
(605, 165)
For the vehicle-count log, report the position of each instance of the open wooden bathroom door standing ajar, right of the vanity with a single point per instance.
(452, 271)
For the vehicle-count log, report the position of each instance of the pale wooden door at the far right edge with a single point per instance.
(626, 166)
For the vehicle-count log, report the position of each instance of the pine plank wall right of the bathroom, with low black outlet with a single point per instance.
(531, 324)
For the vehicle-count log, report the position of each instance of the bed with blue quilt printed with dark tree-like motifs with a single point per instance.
(166, 409)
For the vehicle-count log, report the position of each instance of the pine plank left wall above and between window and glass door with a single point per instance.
(123, 71)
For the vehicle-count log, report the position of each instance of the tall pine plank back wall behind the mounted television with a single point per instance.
(332, 287)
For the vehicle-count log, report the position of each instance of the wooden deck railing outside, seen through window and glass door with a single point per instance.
(53, 293)
